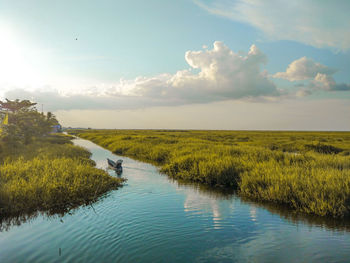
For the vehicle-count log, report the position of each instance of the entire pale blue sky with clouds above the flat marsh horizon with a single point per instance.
(184, 64)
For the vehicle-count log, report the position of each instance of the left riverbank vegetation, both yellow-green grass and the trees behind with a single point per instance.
(41, 171)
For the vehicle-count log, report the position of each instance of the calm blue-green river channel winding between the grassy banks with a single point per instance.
(155, 219)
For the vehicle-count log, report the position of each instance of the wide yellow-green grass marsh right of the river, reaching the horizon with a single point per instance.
(307, 171)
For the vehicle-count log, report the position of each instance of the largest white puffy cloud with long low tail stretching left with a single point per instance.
(216, 74)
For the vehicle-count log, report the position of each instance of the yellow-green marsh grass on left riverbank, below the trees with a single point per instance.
(52, 176)
